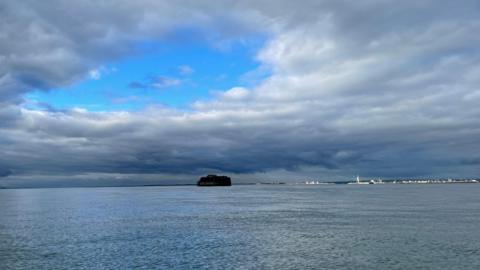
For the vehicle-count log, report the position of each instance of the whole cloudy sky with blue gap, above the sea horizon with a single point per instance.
(162, 92)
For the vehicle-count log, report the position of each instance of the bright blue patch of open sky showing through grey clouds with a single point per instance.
(172, 75)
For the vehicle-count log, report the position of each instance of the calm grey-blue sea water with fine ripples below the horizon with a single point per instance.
(242, 227)
